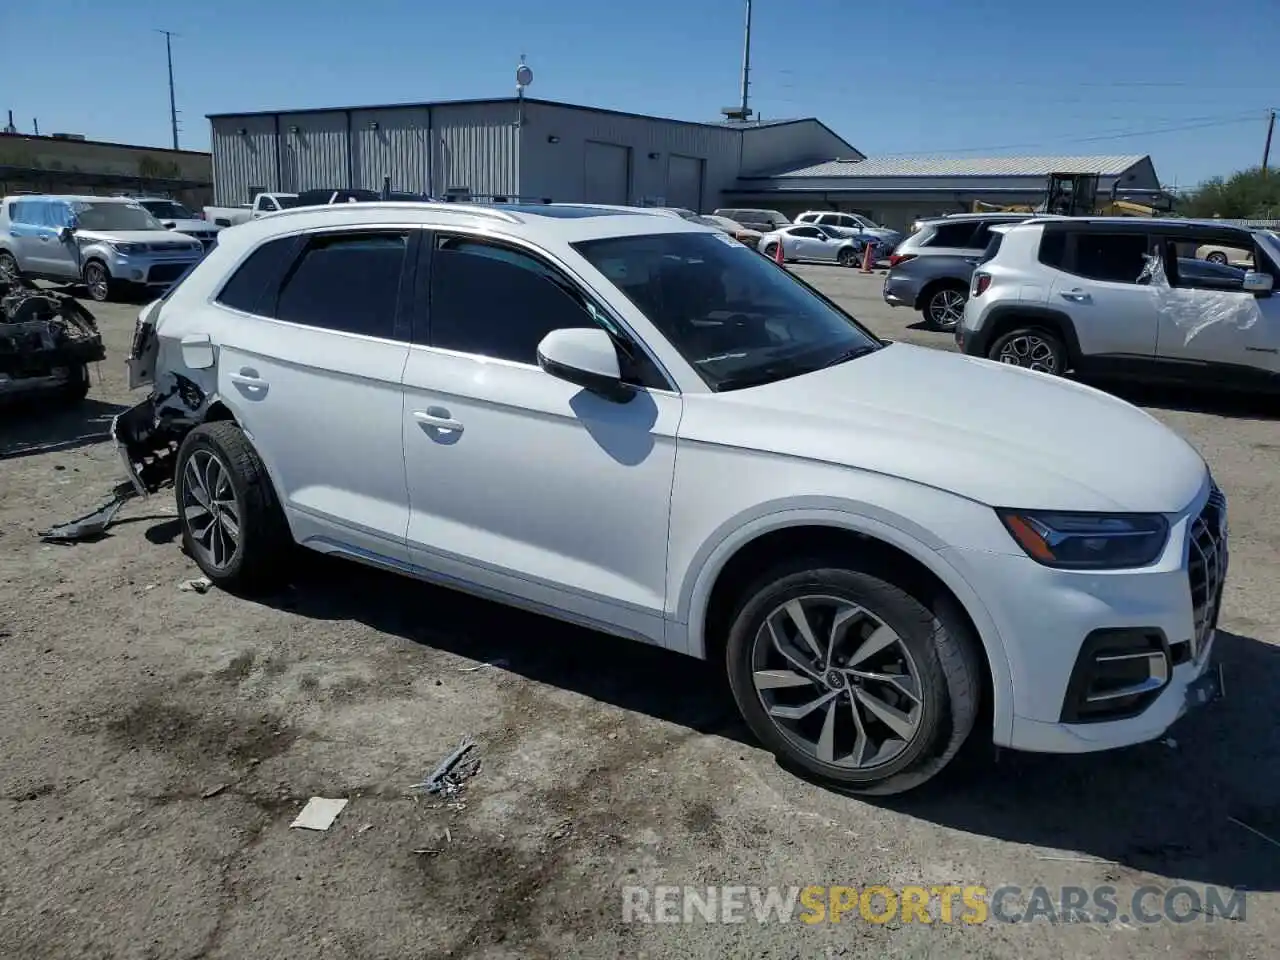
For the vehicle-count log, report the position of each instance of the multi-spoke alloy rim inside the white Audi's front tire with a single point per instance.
(838, 682)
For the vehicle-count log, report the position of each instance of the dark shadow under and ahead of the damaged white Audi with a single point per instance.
(1203, 804)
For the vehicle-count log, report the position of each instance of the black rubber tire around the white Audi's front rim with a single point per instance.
(941, 644)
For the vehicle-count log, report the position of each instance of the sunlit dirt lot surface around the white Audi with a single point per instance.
(158, 743)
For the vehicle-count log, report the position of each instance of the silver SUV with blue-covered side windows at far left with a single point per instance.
(107, 243)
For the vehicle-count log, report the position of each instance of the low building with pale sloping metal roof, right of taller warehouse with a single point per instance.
(897, 191)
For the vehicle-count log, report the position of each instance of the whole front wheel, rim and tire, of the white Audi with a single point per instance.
(852, 678)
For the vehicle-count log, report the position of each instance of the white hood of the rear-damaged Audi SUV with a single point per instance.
(993, 433)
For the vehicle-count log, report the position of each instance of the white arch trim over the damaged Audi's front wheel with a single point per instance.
(911, 538)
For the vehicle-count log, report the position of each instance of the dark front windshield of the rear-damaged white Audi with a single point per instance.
(734, 316)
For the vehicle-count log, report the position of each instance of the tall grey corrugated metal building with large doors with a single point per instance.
(513, 148)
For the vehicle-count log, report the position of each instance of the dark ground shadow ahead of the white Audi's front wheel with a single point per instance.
(1201, 804)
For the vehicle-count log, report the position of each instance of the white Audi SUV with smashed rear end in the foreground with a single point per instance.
(634, 423)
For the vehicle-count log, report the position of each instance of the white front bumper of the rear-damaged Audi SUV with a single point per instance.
(1046, 616)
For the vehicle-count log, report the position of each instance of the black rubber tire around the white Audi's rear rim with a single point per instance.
(258, 561)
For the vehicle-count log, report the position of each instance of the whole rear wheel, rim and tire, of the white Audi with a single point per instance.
(232, 523)
